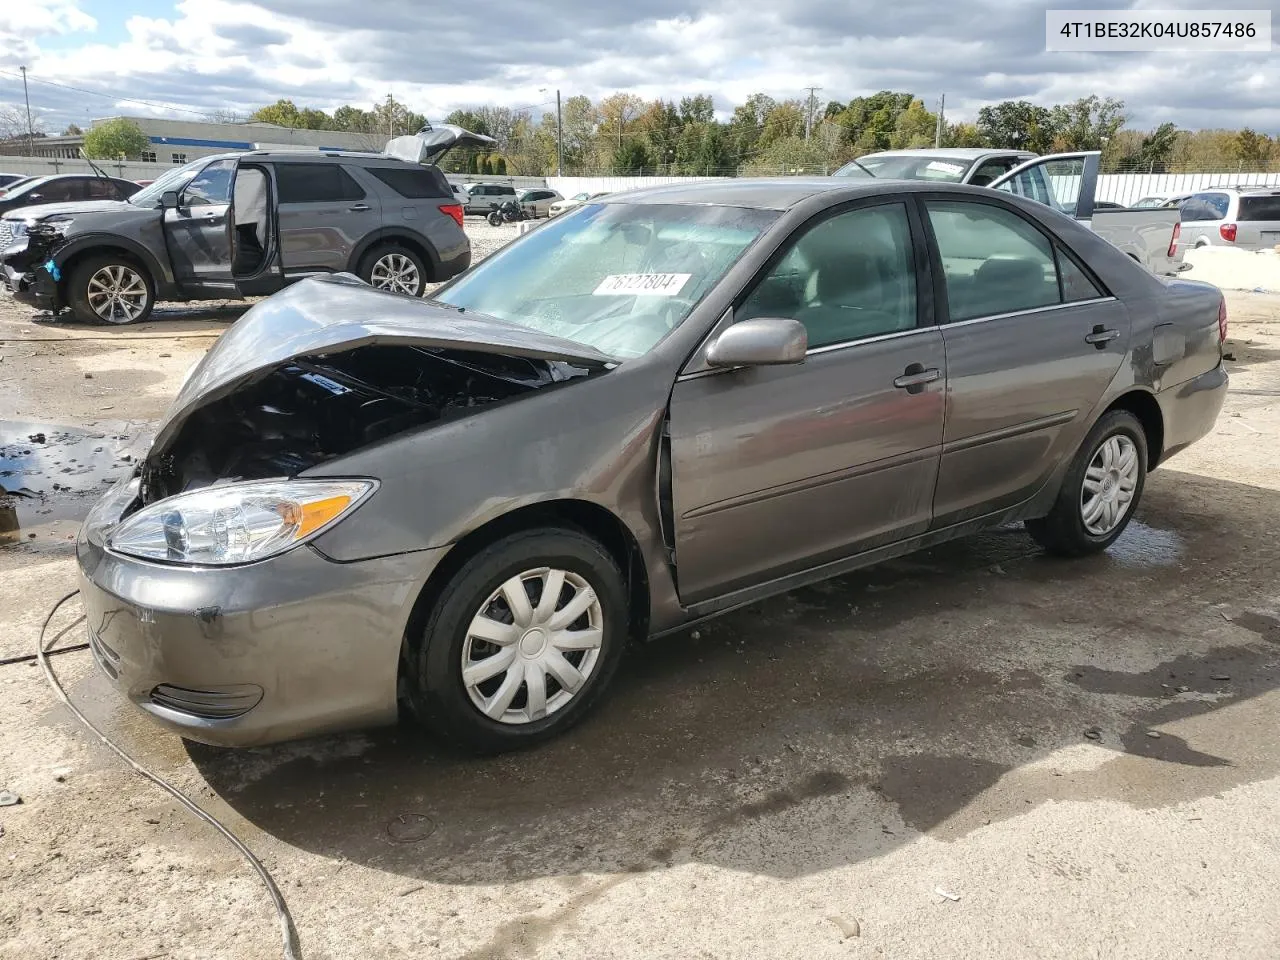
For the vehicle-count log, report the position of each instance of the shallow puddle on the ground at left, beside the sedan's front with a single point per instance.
(52, 476)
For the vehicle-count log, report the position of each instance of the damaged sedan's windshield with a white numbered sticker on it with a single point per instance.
(615, 277)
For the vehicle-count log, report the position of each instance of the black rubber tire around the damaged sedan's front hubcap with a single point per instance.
(438, 694)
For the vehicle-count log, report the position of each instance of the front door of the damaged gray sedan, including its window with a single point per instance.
(778, 469)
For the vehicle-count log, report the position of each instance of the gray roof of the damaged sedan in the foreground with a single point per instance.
(780, 193)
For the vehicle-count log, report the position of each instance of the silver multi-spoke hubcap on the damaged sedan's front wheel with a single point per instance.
(533, 646)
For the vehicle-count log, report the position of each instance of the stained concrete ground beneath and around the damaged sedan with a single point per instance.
(975, 752)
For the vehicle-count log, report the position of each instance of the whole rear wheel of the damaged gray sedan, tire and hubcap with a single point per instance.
(1100, 492)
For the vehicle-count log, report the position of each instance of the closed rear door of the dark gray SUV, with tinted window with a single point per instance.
(323, 214)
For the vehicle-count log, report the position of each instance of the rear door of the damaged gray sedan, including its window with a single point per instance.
(1032, 344)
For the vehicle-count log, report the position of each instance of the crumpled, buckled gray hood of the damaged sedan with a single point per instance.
(331, 316)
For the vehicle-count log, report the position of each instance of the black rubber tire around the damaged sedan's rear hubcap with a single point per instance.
(1063, 533)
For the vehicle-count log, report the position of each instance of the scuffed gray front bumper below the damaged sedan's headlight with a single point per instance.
(286, 648)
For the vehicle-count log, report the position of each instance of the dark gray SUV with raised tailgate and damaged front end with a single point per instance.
(245, 225)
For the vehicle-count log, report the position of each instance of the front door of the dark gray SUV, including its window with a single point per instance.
(199, 231)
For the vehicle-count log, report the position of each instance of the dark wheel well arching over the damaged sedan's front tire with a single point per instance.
(583, 516)
